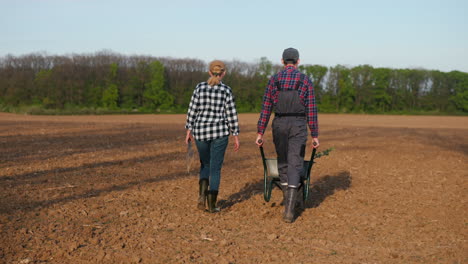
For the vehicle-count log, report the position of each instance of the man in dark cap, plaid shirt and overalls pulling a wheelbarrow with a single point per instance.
(291, 95)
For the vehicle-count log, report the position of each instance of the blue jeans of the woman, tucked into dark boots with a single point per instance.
(211, 154)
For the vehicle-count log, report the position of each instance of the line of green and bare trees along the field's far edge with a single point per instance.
(110, 81)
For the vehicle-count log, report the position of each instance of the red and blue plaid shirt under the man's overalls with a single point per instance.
(288, 78)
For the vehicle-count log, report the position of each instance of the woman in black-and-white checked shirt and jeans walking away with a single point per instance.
(211, 117)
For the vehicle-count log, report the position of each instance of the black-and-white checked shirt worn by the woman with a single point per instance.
(212, 112)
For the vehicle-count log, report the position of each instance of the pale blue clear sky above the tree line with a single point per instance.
(429, 34)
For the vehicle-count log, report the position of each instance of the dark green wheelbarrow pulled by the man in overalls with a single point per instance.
(271, 174)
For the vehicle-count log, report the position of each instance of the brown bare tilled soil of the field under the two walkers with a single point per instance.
(115, 189)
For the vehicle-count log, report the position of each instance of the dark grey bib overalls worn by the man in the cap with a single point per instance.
(290, 134)
